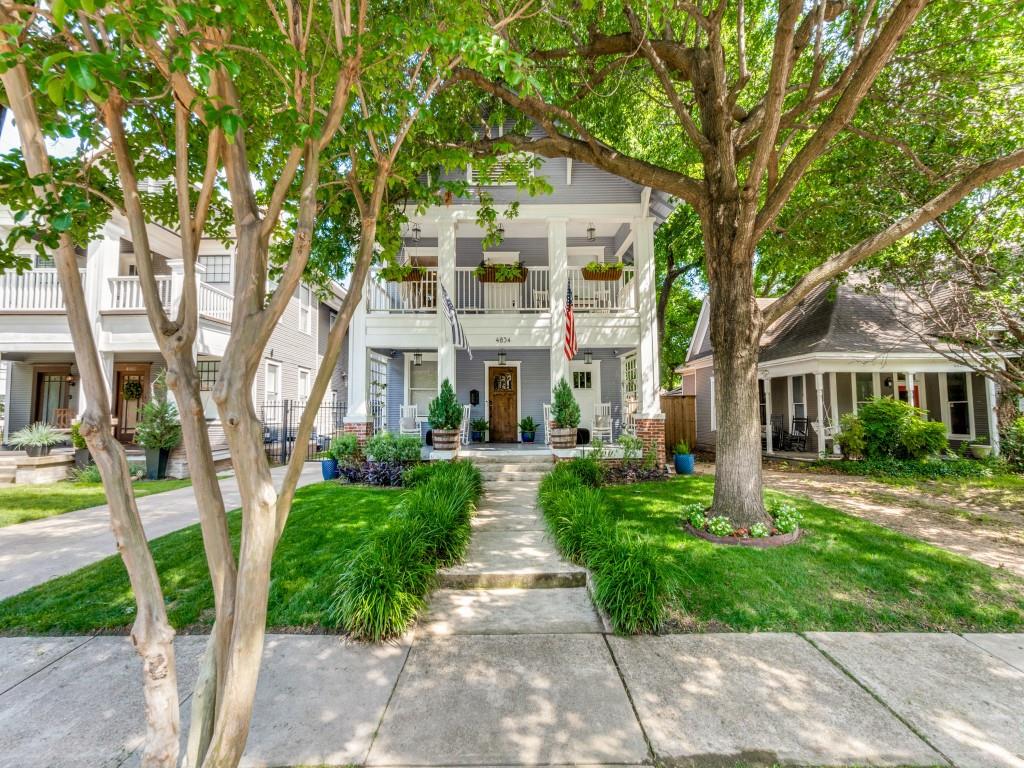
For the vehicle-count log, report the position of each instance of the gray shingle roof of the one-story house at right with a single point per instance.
(834, 318)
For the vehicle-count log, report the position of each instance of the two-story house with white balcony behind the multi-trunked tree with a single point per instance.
(41, 381)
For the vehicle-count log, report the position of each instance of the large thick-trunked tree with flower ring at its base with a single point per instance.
(732, 106)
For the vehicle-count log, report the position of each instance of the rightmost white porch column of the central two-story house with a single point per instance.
(648, 360)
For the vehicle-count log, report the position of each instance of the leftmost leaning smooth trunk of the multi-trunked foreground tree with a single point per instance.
(152, 634)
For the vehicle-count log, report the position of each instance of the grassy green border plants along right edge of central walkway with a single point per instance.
(632, 583)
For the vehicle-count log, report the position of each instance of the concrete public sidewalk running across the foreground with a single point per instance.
(823, 699)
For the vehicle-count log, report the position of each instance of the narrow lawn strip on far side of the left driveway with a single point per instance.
(23, 503)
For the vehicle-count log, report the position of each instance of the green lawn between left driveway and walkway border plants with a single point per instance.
(327, 523)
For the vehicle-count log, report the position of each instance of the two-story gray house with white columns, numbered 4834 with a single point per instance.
(401, 344)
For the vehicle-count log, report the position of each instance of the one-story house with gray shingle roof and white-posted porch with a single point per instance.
(837, 350)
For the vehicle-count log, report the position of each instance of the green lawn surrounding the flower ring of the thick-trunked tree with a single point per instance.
(845, 575)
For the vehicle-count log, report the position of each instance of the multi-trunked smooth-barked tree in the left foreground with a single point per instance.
(277, 123)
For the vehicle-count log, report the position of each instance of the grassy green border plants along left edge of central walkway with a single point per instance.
(385, 585)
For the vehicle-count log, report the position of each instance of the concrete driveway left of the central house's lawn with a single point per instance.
(35, 552)
